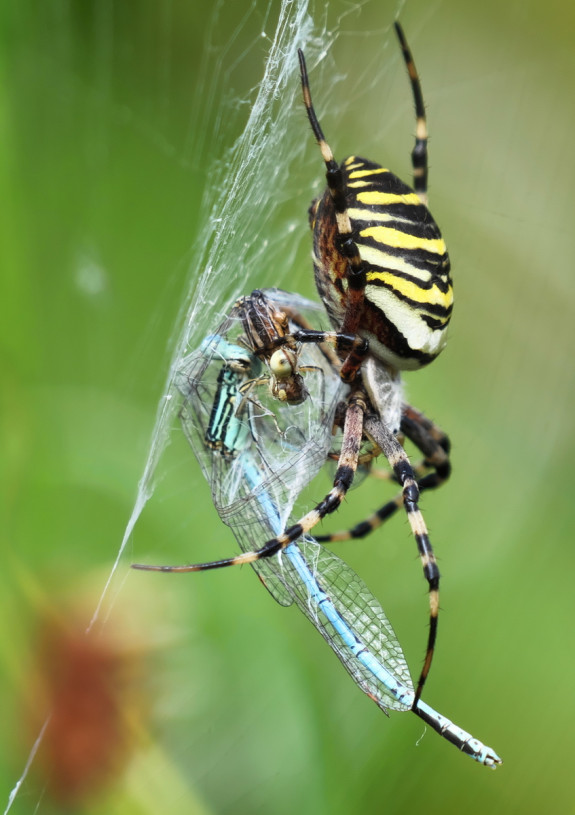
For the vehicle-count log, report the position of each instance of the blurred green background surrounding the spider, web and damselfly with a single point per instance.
(102, 173)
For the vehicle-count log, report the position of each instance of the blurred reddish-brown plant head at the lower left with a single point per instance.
(87, 685)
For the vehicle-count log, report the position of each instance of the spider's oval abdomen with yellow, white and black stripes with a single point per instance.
(408, 295)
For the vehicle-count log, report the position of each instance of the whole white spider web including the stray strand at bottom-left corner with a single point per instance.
(252, 182)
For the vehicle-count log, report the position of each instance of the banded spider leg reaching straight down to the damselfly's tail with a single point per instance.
(403, 470)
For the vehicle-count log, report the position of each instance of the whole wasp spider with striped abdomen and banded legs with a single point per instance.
(383, 273)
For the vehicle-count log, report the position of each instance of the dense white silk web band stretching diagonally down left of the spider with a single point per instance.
(250, 186)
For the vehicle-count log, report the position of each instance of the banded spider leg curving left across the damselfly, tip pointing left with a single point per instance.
(353, 433)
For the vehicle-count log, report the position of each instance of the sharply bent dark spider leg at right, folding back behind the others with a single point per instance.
(434, 444)
